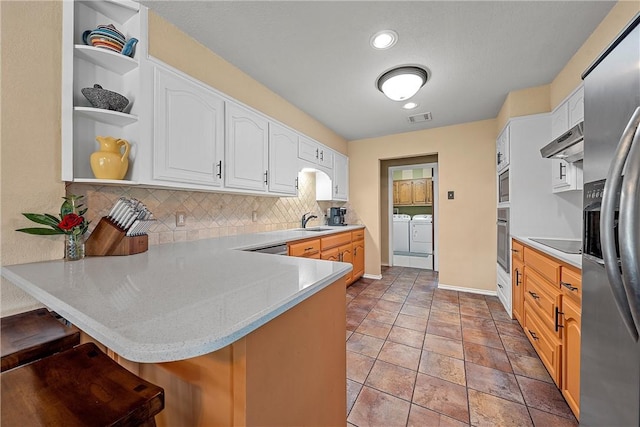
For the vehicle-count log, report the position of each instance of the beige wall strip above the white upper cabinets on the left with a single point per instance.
(171, 45)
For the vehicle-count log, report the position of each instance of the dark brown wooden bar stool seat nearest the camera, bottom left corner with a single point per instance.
(78, 387)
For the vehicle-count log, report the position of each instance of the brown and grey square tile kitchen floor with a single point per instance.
(422, 356)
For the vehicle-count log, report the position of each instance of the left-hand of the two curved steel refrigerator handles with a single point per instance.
(607, 223)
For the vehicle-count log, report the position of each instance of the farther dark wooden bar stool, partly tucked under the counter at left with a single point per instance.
(33, 335)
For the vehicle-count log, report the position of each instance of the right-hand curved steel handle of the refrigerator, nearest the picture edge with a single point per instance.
(629, 226)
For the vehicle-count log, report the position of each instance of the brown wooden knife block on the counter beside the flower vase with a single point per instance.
(109, 239)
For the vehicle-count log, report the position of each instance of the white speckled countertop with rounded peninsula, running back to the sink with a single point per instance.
(179, 300)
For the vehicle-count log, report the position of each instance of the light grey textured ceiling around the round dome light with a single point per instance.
(316, 54)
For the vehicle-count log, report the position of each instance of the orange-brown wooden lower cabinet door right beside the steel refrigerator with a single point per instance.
(571, 354)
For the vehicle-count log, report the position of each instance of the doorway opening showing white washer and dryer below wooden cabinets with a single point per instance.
(410, 188)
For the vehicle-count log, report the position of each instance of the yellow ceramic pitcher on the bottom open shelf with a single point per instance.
(109, 162)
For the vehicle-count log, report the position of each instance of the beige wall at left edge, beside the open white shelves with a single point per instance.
(30, 138)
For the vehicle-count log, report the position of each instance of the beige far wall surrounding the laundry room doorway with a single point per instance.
(467, 227)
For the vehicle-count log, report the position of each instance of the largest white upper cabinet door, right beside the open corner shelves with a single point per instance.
(188, 130)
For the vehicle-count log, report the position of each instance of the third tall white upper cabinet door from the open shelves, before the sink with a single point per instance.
(283, 165)
